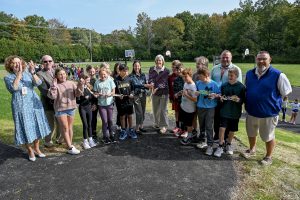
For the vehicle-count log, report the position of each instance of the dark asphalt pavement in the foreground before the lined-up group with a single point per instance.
(151, 167)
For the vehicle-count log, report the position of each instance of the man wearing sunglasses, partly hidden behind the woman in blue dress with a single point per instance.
(47, 75)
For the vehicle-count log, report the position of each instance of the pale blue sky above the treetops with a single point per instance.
(105, 16)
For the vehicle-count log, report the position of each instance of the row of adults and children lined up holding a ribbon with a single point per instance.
(211, 100)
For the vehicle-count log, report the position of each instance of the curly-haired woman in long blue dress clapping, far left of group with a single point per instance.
(28, 113)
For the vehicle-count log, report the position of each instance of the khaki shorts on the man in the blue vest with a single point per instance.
(264, 126)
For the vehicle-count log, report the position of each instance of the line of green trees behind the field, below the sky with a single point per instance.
(272, 25)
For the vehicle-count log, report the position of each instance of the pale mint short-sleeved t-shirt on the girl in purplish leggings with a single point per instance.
(104, 87)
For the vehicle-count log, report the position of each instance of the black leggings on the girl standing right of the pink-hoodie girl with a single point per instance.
(86, 118)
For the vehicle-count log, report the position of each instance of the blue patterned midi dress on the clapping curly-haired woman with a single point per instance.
(27, 109)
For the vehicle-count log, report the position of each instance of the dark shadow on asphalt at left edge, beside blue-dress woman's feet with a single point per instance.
(10, 152)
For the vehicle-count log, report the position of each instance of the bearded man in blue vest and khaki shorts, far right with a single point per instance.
(265, 87)
